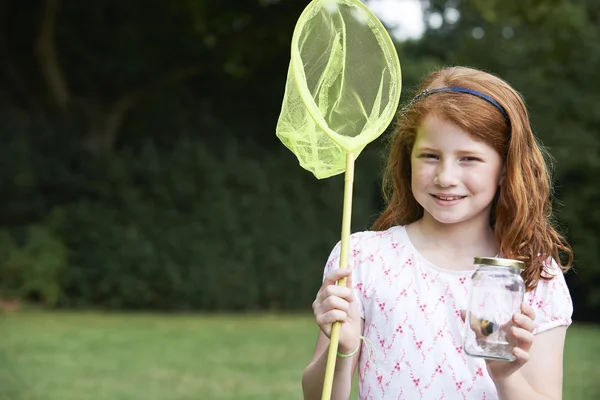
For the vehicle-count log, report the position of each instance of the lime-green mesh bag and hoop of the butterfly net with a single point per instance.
(343, 85)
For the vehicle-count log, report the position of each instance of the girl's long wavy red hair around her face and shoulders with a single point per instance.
(521, 215)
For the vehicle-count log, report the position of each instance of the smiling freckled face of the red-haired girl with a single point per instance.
(454, 177)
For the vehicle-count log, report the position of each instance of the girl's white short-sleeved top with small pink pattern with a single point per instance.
(411, 311)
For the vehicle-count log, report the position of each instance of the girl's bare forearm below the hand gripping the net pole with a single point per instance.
(314, 374)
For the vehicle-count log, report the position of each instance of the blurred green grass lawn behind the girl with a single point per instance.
(87, 356)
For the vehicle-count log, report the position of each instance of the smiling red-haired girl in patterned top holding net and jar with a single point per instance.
(465, 178)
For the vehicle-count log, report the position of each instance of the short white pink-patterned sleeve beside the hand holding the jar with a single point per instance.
(551, 300)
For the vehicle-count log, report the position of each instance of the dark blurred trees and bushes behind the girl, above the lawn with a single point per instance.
(139, 167)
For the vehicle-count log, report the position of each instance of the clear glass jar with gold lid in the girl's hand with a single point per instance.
(496, 293)
